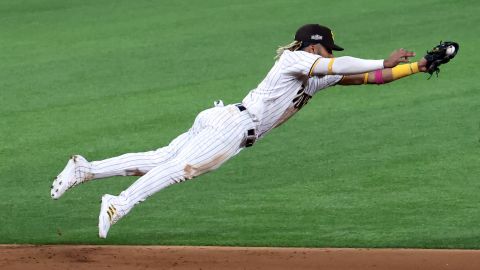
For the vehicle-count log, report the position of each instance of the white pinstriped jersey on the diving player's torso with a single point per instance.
(285, 90)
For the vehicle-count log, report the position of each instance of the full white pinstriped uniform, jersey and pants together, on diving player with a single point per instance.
(217, 133)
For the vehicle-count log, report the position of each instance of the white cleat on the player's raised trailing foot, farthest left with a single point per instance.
(76, 172)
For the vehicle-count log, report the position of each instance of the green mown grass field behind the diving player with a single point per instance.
(363, 166)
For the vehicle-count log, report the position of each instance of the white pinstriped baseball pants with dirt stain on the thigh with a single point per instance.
(217, 134)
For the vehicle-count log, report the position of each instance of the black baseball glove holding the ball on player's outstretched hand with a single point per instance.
(440, 54)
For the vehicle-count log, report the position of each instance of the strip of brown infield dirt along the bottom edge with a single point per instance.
(186, 257)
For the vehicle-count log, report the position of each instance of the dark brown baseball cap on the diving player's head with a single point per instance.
(314, 34)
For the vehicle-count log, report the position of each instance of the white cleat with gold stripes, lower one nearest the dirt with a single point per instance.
(110, 213)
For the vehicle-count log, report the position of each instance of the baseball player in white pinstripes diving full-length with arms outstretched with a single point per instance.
(301, 69)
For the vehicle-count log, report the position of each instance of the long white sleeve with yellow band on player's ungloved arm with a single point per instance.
(344, 65)
